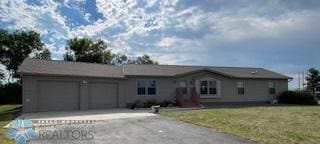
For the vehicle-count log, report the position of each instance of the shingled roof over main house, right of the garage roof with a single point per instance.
(174, 70)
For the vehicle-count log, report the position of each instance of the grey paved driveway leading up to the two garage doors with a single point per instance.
(148, 129)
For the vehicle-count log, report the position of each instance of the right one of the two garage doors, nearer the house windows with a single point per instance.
(103, 95)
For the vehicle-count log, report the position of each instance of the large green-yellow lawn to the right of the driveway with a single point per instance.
(261, 124)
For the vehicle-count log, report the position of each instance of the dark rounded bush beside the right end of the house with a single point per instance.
(298, 97)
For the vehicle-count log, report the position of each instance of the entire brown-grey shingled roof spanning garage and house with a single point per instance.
(49, 67)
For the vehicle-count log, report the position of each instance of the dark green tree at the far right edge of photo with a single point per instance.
(313, 78)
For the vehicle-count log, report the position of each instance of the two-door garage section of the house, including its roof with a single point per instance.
(50, 85)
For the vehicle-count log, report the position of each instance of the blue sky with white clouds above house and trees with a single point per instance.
(281, 35)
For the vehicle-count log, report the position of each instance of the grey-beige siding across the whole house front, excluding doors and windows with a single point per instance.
(256, 90)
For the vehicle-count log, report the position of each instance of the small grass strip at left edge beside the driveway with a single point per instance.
(7, 113)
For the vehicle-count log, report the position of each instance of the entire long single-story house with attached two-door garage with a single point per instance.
(62, 86)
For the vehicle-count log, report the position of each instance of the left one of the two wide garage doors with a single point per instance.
(58, 96)
